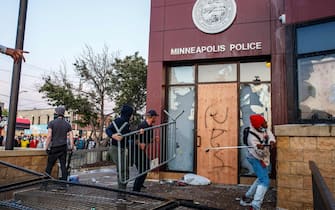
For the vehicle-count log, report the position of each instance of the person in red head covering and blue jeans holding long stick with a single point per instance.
(259, 139)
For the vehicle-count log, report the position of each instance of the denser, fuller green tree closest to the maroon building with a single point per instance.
(129, 82)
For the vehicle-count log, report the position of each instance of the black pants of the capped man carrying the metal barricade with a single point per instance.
(142, 163)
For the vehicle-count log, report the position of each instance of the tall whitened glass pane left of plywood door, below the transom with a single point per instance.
(182, 98)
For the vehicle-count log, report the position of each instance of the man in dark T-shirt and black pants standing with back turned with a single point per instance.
(56, 143)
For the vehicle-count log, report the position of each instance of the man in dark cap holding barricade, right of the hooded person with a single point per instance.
(142, 162)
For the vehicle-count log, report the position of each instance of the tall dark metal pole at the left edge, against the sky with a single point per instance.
(16, 76)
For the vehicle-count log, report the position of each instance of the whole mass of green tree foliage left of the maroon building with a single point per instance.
(101, 76)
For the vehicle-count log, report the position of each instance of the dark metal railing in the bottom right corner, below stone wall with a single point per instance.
(323, 198)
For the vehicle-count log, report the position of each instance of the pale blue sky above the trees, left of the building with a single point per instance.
(57, 33)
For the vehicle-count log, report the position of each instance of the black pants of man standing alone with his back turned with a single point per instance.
(60, 154)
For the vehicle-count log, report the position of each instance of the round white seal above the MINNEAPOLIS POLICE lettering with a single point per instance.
(213, 16)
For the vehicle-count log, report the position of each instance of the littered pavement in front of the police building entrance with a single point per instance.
(213, 195)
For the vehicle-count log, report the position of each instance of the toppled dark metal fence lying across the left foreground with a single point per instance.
(29, 188)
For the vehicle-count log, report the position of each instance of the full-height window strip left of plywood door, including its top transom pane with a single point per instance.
(181, 94)
